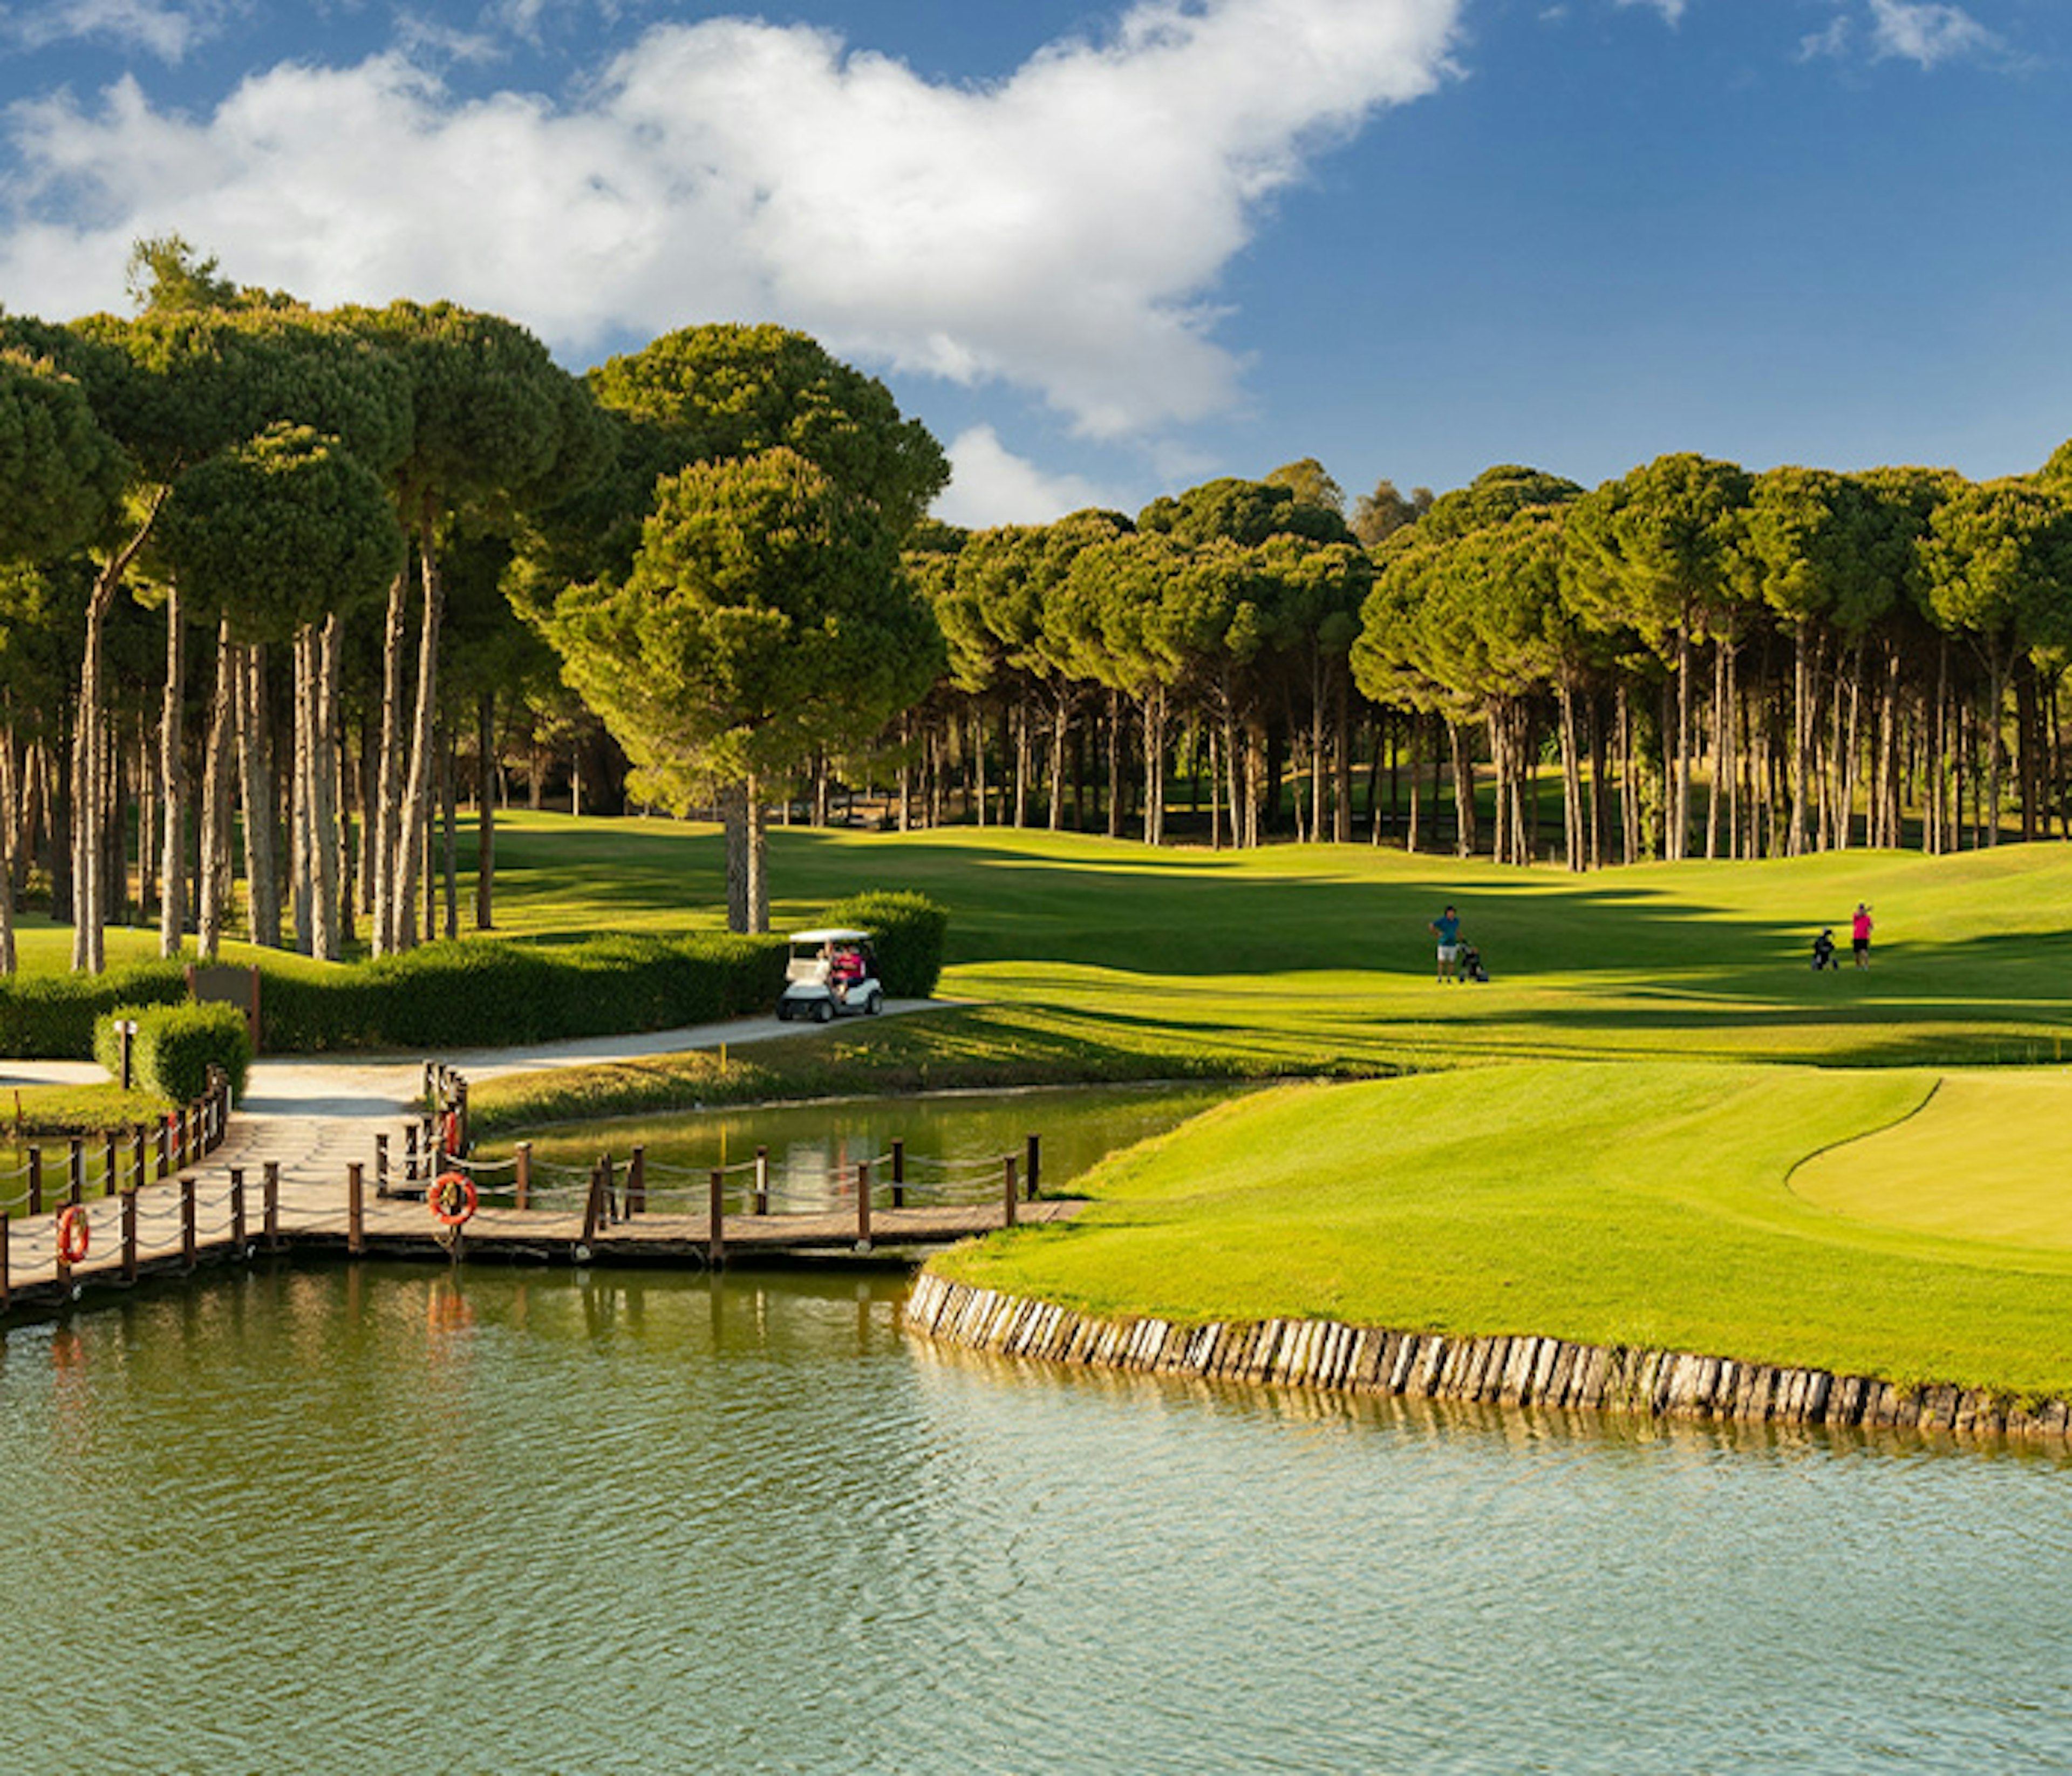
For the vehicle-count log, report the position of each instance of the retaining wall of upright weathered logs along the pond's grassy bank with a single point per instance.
(1503, 1371)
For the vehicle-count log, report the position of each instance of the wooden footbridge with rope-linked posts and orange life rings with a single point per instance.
(219, 1186)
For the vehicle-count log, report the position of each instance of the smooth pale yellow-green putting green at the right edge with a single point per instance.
(1986, 1159)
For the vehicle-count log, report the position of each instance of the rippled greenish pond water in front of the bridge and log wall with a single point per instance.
(544, 1522)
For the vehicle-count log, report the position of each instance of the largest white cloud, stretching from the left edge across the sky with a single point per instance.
(1062, 229)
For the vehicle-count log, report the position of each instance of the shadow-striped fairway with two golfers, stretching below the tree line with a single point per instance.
(1306, 954)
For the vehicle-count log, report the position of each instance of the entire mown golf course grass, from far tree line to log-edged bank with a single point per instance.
(1657, 1126)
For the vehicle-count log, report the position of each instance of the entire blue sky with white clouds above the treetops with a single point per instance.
(1107, 250)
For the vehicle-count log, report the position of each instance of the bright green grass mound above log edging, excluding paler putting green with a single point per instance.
(1628, 1205)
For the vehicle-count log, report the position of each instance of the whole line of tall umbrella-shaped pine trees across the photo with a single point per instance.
(277, 581)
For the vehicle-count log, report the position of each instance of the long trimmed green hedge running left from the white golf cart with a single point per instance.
(492, 994)
